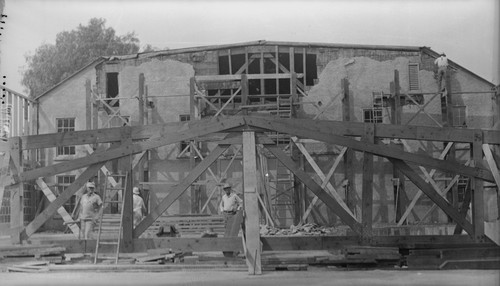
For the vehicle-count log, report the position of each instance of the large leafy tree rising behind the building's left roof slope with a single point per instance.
(51, 63)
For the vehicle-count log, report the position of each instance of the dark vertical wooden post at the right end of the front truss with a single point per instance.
(477, 191)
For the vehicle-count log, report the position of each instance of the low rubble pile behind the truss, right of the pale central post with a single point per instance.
(299, 230)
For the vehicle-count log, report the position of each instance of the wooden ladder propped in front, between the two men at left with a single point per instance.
(111, 220)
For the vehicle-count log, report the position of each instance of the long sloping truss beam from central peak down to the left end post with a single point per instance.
(203, 128)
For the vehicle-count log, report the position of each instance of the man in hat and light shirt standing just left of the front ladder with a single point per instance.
(90, 207)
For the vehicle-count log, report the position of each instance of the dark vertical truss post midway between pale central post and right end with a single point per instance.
(367, 192)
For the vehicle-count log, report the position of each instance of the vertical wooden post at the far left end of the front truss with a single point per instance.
(16, 192)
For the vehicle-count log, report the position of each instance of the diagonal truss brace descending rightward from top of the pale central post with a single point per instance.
(329, 201)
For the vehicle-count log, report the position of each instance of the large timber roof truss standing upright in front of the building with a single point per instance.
(241, 130)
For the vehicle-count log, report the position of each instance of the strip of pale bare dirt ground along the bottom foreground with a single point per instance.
(288, 278)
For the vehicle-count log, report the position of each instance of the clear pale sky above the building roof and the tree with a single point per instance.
(466, 30)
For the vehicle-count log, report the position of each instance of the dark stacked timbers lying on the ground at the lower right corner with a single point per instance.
(455, 258)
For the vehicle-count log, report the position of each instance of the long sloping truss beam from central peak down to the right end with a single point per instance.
(311, 131)
